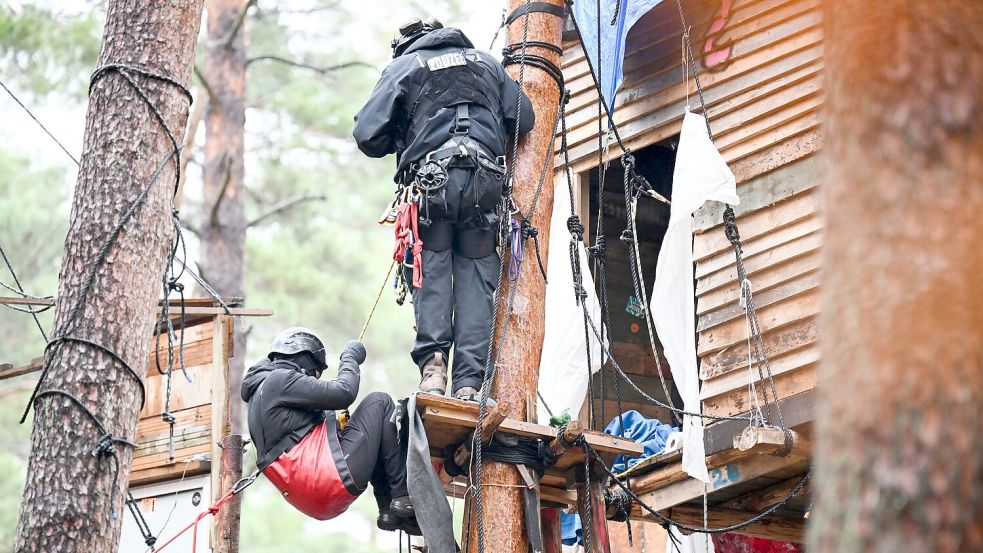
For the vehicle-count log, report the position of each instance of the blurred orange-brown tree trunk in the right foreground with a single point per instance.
(900, 427)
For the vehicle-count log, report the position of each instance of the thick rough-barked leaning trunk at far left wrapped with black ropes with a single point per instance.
(66, 504)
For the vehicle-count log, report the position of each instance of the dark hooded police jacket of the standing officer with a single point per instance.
(412, 110)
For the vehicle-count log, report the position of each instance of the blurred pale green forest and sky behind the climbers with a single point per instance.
(318, 263)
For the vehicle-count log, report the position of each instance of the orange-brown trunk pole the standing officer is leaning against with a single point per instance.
(517, 374)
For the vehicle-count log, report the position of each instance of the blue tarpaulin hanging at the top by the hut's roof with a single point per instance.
(623, 14)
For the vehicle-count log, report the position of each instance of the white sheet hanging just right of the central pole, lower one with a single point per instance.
(563, 364)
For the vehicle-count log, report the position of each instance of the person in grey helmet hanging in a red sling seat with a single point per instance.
(318, 464)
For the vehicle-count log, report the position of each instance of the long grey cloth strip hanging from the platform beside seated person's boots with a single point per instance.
(433, 513)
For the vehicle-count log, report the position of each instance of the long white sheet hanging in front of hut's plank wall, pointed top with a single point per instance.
(700, 175)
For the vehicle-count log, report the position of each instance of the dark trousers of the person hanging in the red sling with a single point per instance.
(372, 448)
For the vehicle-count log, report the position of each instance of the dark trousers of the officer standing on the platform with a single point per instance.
(454, 306)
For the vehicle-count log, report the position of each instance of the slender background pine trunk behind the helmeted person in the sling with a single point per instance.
(223, 231)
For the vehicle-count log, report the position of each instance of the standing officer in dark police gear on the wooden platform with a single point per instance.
(446, 110)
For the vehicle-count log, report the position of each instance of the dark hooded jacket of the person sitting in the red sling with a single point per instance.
(283, 400)
